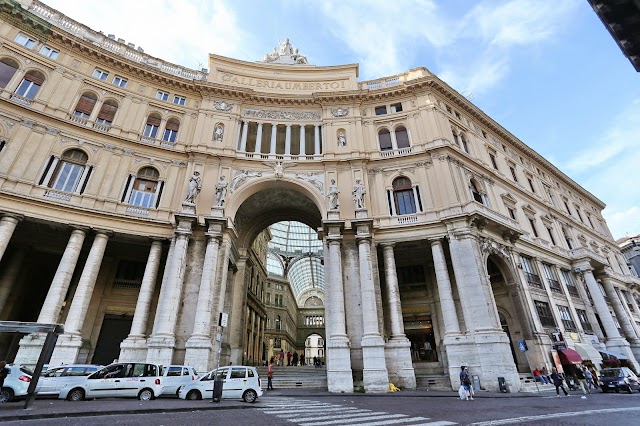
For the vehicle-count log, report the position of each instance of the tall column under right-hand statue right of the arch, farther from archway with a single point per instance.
(375, 374)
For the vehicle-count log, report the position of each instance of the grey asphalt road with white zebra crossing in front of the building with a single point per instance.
(371, 410)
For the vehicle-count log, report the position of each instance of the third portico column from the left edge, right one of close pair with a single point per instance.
(69, 344)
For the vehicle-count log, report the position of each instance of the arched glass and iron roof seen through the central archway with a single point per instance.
(296, 245)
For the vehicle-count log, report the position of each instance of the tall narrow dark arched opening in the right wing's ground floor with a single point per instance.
(510, 308)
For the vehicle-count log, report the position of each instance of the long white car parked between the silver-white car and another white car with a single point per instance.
(124, 379)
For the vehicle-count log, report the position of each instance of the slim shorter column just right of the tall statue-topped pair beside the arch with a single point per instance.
(398, 347)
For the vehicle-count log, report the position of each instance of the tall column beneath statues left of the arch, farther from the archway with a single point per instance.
(162, 340)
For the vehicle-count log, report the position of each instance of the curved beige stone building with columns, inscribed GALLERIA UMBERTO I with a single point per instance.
(391, 218)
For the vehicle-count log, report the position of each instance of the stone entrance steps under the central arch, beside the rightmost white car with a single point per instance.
(299, 377)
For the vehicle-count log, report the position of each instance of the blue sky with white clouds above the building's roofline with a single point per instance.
(546, 70)
